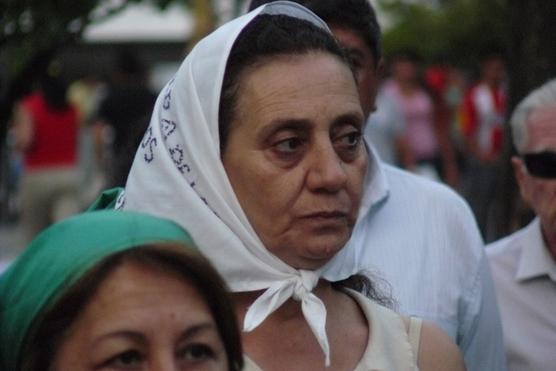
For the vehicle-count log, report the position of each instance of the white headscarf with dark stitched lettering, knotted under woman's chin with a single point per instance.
(177, 173)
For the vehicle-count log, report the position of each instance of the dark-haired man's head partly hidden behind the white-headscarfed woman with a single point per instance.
(354, 24)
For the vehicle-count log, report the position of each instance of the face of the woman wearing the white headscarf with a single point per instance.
(295, 157)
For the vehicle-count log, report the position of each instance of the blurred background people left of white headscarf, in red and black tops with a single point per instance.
(71, 139)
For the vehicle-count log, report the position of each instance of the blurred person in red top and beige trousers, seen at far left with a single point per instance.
(46, 131)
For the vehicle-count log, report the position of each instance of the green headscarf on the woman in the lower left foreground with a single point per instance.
(61, 255)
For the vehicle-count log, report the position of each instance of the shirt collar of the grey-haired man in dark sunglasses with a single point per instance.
(535, 259)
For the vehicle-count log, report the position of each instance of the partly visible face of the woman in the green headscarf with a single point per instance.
(143, 319)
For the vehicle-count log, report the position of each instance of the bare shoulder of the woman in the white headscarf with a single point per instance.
(437, 352)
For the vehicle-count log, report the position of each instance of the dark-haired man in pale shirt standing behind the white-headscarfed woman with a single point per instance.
(418, 235)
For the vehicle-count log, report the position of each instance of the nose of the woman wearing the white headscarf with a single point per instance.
(326, 170)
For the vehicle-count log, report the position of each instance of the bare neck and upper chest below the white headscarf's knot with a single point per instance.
(284, 341)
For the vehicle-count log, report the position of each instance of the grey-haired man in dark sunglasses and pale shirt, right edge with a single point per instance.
(524, 263)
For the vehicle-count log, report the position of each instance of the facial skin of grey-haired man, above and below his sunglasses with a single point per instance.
(538, 193)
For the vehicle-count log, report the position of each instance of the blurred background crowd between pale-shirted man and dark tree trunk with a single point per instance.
(444, 122)
